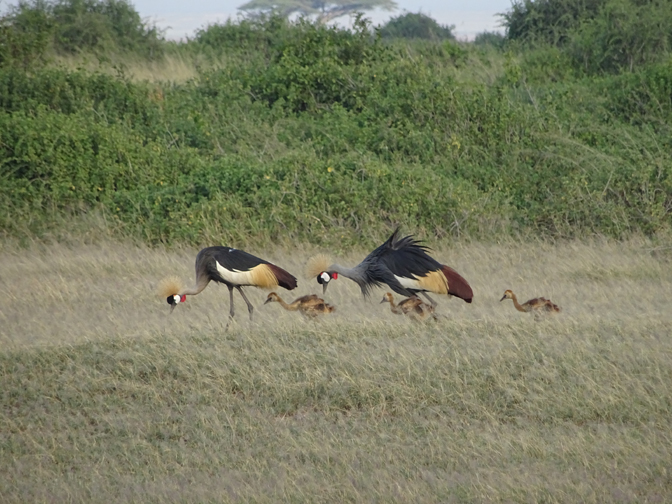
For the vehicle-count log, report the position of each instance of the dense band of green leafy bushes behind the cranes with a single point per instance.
(295, 130)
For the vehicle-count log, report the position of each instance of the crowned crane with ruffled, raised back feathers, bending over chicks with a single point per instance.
(403, 264)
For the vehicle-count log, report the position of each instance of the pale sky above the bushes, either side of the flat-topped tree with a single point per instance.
(182, 18)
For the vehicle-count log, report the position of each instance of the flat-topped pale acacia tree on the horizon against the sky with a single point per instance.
(324, 10)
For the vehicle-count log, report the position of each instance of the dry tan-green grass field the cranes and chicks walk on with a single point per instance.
(104, 397)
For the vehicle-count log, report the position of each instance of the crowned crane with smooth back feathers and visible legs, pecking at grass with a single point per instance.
(233, 268)
